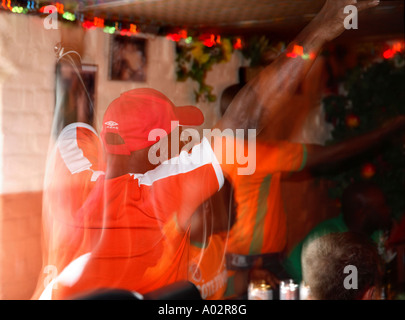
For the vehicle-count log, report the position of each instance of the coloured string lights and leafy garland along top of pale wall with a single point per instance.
(196, 52)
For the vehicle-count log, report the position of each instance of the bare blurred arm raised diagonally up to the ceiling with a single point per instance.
(261, 98)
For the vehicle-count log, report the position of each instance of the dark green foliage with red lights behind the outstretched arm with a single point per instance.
(373, 95)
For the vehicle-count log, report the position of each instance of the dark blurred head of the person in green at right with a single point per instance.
(365, 209)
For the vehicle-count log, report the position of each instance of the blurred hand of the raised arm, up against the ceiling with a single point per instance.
(330, 20)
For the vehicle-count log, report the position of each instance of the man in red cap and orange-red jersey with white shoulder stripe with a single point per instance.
(141, 216)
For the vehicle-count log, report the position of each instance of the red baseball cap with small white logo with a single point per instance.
(136, 112)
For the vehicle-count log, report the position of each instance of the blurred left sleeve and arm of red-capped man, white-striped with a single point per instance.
(75, 163)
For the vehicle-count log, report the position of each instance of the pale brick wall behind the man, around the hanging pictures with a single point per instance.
(27, 82)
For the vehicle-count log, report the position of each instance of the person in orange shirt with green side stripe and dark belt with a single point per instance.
(251, 252)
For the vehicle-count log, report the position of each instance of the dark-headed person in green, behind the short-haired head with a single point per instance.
(364, 210)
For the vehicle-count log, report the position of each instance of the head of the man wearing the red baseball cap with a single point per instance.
(139, 120)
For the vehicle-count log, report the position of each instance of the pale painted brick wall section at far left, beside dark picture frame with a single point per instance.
(27, 78)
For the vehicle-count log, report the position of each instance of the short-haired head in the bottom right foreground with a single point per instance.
(342, 266)
